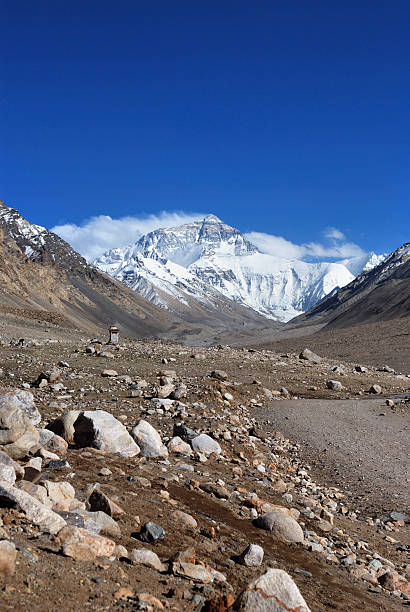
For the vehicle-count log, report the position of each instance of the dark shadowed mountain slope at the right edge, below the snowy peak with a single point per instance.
(381, 294)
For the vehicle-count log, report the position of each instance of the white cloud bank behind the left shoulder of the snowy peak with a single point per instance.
(99, 234)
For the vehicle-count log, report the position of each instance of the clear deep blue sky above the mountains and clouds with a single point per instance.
(279, 117)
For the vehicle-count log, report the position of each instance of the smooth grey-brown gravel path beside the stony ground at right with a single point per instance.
(361, 446)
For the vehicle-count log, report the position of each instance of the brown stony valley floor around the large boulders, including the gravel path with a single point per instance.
(309, 449)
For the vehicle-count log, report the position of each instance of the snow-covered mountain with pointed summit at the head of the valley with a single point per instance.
(207, 258)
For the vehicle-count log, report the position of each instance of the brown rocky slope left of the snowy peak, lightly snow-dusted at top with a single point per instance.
(39, 270)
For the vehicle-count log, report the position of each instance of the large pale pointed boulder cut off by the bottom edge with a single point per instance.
(274, 591)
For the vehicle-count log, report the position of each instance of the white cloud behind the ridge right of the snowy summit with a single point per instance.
(280, 247)
